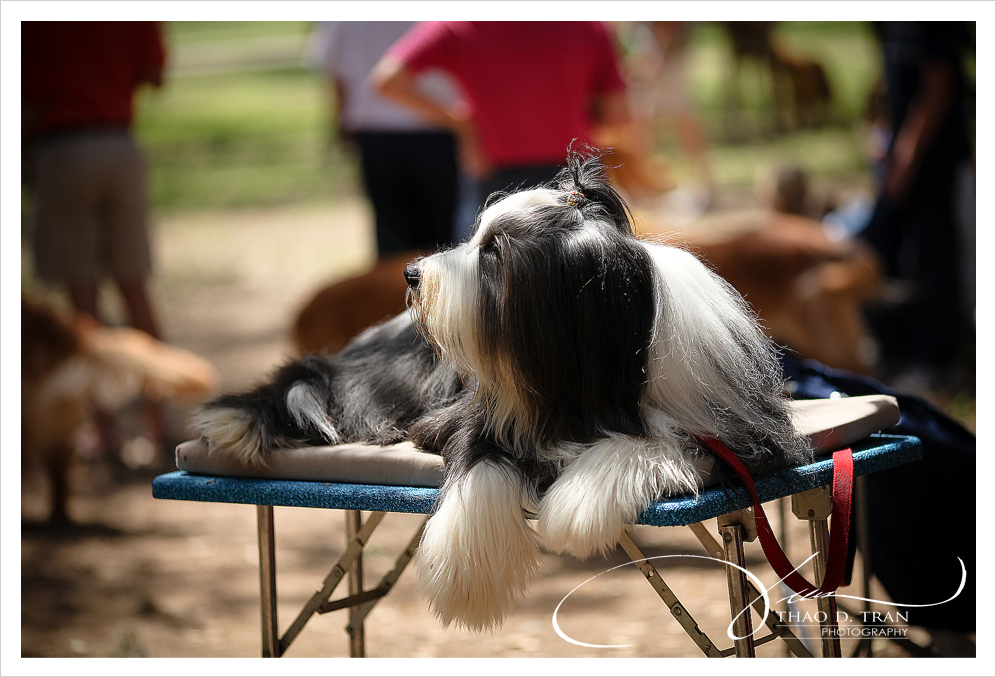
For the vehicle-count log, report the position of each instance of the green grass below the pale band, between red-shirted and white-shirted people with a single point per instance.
(242, 139)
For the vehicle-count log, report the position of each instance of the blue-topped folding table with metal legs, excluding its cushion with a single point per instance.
(806, 485)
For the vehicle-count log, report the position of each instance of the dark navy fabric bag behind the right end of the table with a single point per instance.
(921, 515)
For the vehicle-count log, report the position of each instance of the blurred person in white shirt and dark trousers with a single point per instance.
(408, 165)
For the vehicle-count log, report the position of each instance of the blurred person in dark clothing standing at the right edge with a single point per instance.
(925, 330)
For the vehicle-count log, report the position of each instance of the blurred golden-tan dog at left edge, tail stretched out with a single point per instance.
(72, 367)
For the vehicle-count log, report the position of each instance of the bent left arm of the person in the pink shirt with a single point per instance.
(394, 81)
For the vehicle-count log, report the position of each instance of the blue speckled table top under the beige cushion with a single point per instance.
(878, 452)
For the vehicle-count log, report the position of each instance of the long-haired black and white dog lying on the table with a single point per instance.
(562, 367)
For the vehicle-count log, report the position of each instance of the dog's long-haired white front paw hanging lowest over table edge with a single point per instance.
(478, 553)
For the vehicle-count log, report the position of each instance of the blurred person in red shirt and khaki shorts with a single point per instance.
(78, 82)
